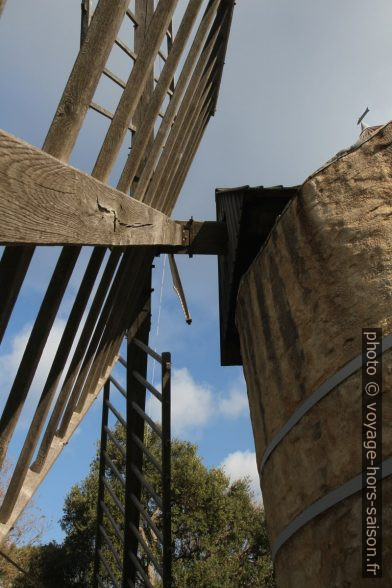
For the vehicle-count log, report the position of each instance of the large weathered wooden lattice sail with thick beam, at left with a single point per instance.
(166, 116)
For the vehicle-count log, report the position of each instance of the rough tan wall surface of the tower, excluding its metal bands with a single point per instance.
(324, 273)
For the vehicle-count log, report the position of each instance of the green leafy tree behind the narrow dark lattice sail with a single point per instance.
(220, 536)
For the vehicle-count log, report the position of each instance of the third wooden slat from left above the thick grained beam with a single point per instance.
(141, 138)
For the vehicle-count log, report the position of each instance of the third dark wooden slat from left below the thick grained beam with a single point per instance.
(51, 384)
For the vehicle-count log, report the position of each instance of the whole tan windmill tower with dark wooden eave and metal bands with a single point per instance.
(306, 303)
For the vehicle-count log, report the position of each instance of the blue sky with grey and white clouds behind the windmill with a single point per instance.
(297, 77)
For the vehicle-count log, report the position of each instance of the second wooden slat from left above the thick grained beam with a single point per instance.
(134, 89)
